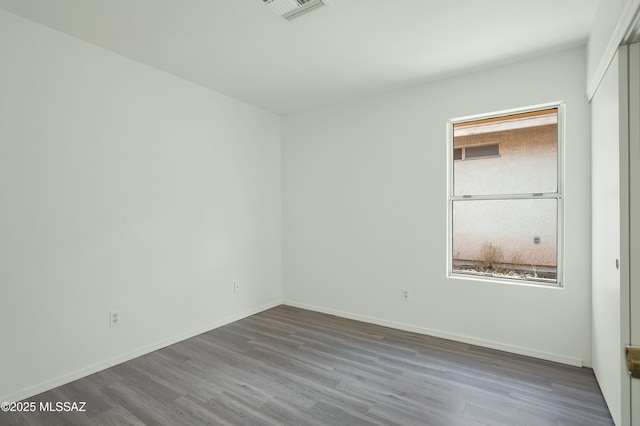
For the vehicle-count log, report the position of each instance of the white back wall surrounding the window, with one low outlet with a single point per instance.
(364, 213)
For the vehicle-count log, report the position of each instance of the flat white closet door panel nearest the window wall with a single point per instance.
(605, 182)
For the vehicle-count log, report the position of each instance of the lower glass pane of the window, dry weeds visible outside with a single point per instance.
(506, 238)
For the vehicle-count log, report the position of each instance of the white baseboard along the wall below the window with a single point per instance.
(443, 334)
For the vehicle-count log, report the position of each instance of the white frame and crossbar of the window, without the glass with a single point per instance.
(559, 195)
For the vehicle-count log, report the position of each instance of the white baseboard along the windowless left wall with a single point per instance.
(102, 365)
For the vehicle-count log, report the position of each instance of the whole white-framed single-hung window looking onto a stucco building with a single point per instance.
(505, 206)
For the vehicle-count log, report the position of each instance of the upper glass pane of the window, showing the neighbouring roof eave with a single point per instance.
(528, 155)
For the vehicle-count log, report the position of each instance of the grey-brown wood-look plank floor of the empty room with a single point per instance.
(288, 366)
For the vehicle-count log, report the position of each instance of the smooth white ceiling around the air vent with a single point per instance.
(350, 49)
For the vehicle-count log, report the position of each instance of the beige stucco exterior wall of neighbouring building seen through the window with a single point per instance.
(527, 164)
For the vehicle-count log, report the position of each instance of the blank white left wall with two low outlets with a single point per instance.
(123, 187)
